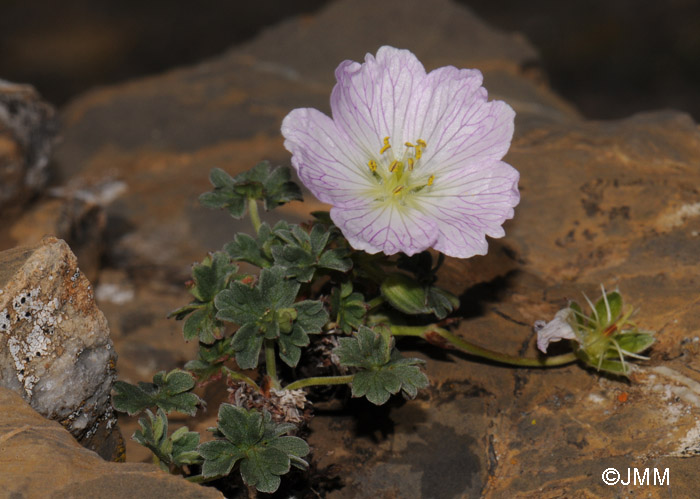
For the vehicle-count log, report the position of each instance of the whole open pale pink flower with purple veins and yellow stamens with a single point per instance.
(409, 160)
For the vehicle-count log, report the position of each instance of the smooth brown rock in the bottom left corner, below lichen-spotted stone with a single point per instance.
(39, 458)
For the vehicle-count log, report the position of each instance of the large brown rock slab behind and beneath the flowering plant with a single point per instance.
(602, 202)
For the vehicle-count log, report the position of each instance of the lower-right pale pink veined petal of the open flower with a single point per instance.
(471, 205)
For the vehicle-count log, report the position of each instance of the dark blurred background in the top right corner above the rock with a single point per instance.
(611, 59)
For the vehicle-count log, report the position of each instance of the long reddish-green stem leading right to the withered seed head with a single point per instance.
(429, 333)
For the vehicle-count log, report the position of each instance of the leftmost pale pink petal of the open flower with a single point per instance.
(325, 163)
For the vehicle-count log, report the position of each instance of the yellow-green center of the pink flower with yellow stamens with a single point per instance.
(397, 179)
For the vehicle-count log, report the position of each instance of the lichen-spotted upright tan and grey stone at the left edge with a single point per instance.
(55, 349)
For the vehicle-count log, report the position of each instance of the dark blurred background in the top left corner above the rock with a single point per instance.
(64, 48)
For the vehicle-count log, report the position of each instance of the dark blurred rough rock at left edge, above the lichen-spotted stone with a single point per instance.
(27, 129)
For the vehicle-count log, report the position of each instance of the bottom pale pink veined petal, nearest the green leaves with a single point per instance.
(373, 229)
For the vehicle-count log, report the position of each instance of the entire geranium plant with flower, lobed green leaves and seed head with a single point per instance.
(409, 161)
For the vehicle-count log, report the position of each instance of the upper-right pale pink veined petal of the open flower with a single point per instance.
(459, 125)
